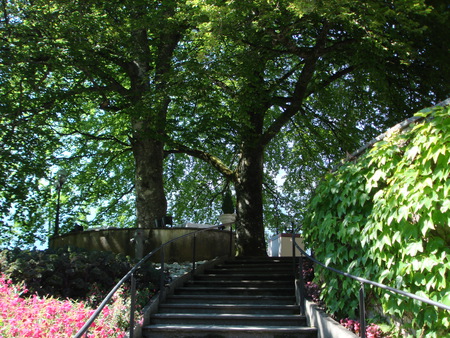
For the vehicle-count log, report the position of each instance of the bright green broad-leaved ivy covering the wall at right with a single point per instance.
(386, 217)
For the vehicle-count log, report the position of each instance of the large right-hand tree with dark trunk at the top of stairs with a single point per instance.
(311, 69)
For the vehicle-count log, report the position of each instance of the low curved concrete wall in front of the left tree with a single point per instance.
(209, 244)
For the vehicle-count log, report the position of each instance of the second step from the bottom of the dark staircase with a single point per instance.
(228, 319)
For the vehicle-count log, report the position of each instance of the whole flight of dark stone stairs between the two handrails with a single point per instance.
(245, 297)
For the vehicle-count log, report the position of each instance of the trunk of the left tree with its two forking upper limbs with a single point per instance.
(149, 128)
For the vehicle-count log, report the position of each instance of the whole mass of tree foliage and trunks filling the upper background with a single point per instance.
(149, 103)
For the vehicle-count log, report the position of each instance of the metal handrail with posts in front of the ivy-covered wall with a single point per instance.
(361, 291)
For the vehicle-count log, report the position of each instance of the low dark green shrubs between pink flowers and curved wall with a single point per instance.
(71, 273)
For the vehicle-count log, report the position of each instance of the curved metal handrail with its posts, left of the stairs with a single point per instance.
(130, 275)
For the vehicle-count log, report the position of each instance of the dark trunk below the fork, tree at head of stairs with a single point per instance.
(248, 185)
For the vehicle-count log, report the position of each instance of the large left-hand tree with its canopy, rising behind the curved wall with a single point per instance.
(97, 76)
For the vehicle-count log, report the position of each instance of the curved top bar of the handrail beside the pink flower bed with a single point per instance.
(130, 274)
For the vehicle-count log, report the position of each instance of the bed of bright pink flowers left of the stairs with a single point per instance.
(40, 317)
